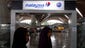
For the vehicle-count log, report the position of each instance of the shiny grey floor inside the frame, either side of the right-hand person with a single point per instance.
(59, 40)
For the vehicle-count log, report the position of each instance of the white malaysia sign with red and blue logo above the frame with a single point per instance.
(43, 5)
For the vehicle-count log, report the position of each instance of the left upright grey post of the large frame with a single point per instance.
(12, 27)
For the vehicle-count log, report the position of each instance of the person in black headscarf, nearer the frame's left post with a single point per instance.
(20, 38)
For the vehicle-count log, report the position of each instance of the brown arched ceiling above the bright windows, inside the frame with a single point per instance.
(42, 17)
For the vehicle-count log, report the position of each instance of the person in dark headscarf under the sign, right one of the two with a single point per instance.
(45, 40)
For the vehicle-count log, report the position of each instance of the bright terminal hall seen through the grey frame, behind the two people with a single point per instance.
(57, 21)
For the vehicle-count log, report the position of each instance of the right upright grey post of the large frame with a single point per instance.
(73, 30)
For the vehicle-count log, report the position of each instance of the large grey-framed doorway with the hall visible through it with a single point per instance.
(62, 22)
